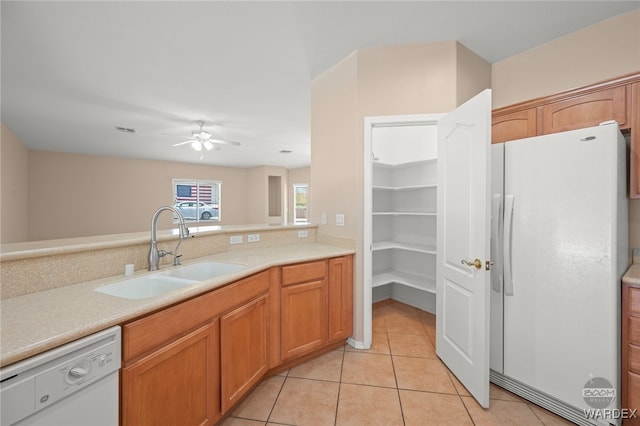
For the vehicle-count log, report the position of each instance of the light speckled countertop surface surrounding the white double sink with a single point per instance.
(36, 322)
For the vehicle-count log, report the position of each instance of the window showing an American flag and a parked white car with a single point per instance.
(197, 200)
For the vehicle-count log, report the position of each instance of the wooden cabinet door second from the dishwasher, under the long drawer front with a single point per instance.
(244, 337)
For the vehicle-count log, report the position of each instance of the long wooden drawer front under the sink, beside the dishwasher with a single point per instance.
(152, 331)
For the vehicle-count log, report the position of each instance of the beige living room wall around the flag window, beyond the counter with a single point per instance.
(51, 195)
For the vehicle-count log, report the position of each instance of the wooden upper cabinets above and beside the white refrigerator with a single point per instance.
(617, 99)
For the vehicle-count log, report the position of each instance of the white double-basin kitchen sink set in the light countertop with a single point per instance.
(158, 283)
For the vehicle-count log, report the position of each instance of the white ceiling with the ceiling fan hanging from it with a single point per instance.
(73, 71)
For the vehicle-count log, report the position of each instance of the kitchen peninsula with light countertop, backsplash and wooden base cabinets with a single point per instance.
(205, 345)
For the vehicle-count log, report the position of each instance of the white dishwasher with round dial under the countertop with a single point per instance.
(72, 385)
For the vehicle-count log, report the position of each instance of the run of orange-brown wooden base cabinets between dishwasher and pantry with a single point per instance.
(189, 364)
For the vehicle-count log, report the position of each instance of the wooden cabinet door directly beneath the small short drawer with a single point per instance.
(303, 317)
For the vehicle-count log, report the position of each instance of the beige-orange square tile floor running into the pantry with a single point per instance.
(399, 381)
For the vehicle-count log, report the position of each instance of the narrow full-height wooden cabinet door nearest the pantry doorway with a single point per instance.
(340, 297)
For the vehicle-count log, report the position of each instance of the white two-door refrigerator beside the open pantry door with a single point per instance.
(560, 247)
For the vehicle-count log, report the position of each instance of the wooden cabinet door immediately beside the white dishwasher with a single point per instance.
(175, 385)
